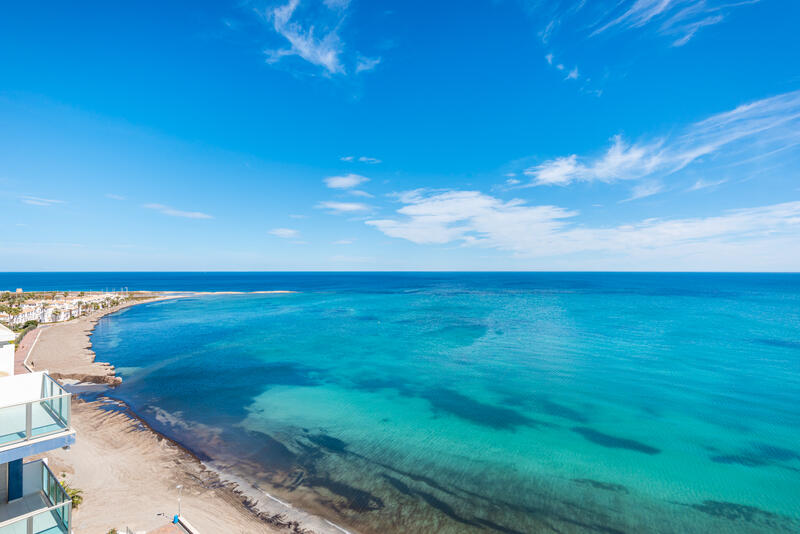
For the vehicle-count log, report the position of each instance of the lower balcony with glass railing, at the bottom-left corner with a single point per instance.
(44, 508)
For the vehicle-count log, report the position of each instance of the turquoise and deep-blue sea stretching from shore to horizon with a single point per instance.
(461, 403)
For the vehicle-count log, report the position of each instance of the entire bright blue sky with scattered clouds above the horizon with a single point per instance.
(337, 135)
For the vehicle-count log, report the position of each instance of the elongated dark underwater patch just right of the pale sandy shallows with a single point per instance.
(476, 412)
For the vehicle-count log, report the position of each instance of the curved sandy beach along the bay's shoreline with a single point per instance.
(129, 473)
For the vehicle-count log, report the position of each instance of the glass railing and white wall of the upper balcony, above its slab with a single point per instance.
(32, 406)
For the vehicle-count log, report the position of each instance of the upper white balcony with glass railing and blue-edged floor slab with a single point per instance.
(34, 416)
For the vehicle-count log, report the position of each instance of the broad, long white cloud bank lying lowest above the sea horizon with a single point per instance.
(471, 218)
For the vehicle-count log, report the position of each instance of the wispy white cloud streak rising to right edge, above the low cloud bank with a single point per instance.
(755, 128)
